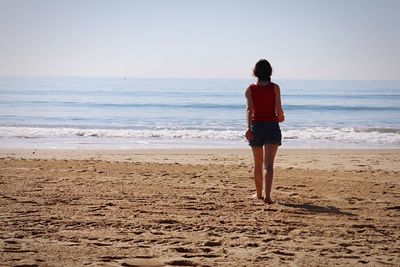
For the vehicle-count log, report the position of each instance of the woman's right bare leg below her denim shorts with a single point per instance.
(270, 153)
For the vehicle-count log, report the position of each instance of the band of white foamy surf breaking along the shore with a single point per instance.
(315, 137)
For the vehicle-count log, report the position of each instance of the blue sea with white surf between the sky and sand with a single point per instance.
(125, 113)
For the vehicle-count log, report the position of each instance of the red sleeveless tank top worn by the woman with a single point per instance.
(263, 103)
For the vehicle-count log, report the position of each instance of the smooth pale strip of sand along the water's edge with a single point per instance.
(325, 159)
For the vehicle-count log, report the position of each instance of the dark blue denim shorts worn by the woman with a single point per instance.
(265, 133)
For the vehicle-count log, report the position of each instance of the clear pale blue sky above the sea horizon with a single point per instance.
(303, 39)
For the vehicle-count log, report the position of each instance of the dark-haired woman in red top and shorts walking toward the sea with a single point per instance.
(263, 114)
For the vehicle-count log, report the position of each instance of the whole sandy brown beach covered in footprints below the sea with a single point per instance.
(194, 208)
